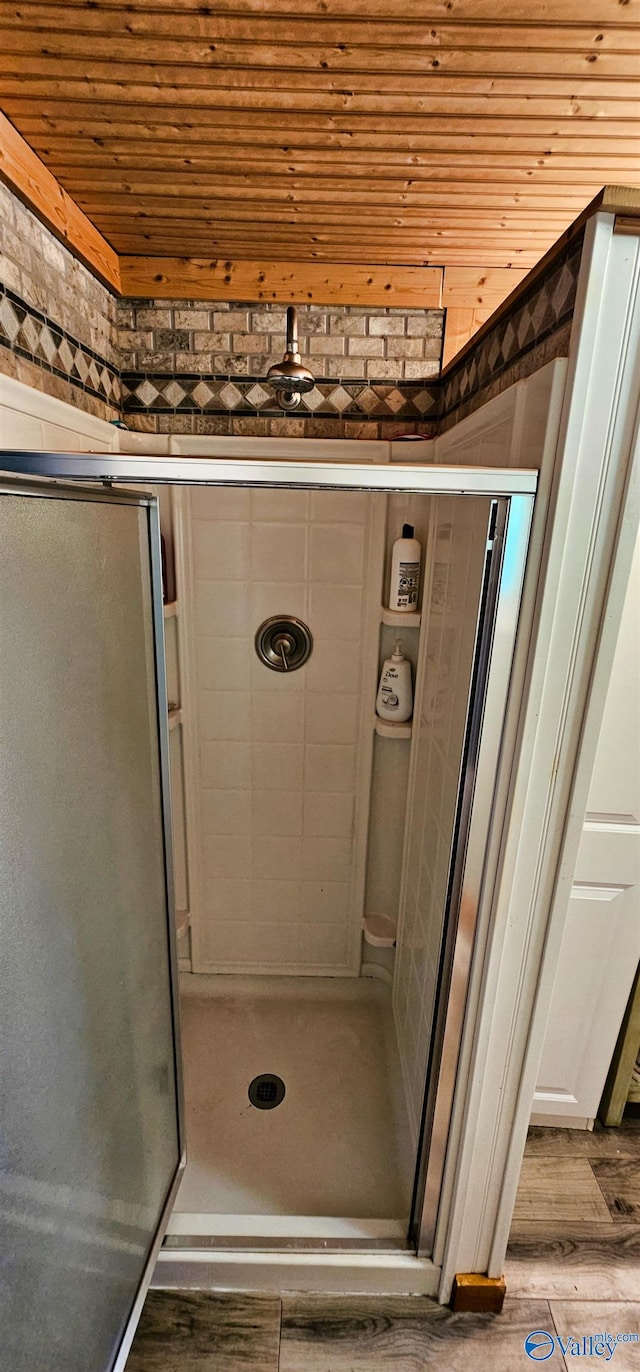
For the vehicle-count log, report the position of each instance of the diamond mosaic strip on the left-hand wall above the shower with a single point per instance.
(36, 338)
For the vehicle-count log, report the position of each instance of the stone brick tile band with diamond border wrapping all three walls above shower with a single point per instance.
(201, 367)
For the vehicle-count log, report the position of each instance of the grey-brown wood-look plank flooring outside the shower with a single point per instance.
(573, 1270)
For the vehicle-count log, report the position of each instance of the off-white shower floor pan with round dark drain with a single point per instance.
(330, 1160)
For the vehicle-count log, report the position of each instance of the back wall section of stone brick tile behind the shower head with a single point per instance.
(201, 368)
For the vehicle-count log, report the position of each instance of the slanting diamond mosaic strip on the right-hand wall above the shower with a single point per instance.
(539, 314)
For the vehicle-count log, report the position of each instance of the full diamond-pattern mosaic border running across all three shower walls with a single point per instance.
(535, 330)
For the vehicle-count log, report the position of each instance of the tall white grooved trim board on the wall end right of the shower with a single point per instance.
(580, 506)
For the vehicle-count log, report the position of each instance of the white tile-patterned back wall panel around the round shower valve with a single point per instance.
(281, 766)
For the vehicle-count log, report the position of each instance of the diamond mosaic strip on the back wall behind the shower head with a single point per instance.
(201, 394)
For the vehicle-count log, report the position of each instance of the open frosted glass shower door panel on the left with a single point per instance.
(90, 1134)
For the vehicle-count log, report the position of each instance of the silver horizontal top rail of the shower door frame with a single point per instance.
(391, 478)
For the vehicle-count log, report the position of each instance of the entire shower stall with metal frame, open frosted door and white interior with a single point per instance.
(308, 820)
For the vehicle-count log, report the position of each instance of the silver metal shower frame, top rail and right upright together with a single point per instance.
(516, 490)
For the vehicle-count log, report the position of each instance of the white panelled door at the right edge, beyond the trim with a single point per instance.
(601, 947)
